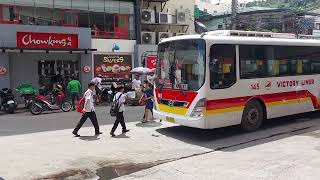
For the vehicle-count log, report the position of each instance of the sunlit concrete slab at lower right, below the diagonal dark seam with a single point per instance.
(293, 158)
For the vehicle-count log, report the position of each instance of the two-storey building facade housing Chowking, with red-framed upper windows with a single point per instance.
(95, 27)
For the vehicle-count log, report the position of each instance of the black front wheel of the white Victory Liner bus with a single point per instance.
(252, 116)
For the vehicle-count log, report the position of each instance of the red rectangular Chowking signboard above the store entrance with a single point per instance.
(46, 40)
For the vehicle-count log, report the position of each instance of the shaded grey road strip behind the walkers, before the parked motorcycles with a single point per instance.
(24, 122)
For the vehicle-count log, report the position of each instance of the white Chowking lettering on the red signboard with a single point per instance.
(28, 39)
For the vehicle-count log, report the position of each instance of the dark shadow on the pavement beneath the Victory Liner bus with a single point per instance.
(233, 138)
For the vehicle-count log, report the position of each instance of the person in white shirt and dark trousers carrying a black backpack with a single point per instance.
(117, 110)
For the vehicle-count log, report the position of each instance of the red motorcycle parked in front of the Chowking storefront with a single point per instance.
(56, 101)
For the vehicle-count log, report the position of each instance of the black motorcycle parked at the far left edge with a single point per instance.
(8, 103)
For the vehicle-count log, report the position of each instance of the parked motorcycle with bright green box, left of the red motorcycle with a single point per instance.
(27, 92)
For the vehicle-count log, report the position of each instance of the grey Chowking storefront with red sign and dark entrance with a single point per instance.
(44, 55)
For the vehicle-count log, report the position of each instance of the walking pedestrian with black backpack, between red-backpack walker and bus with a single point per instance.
(120, 98)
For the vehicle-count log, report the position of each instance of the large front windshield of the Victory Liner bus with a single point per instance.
(181, 64)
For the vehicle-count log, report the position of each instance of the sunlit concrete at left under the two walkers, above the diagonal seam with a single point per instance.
(43, 154)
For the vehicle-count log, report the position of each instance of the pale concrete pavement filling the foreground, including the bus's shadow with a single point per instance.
(283, 149)
